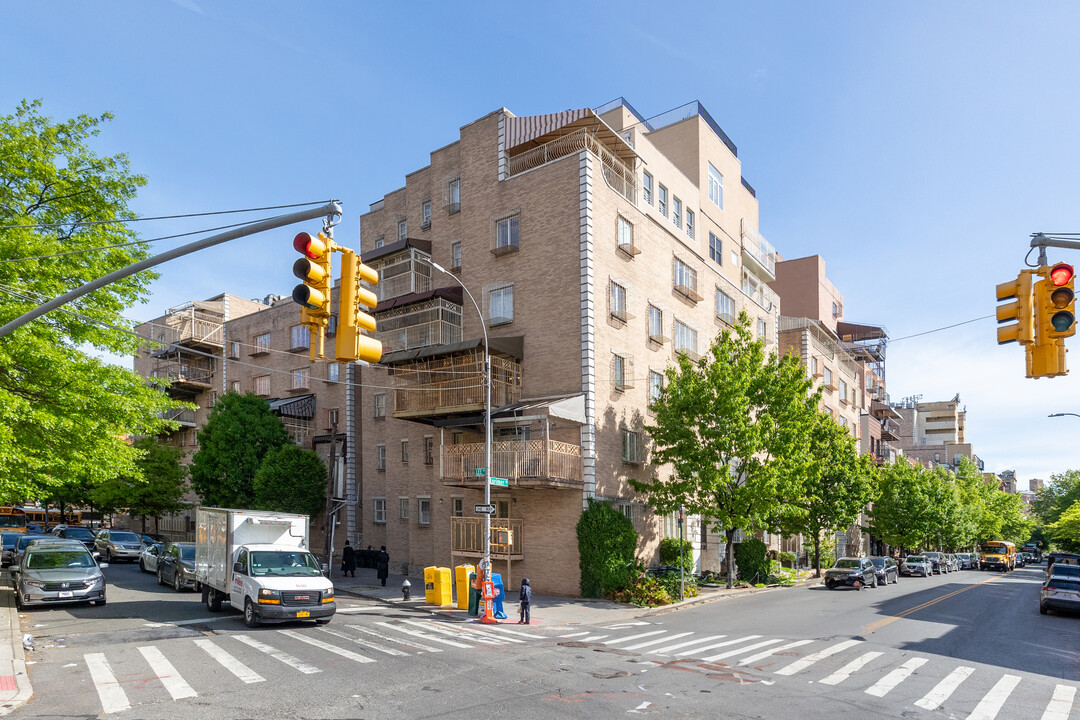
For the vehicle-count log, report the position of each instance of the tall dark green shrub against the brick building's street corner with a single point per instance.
(606, 546)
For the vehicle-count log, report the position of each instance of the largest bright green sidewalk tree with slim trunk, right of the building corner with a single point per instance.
(733, 428)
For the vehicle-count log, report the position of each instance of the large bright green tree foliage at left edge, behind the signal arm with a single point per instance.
(63, 413)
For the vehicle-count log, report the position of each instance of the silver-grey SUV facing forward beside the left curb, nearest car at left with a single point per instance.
(58, 574)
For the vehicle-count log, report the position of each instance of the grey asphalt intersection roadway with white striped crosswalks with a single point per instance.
(958, 646)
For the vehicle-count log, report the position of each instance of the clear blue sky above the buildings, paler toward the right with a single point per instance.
(914, 146)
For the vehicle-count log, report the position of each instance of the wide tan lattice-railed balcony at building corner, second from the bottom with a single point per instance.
(524, 464)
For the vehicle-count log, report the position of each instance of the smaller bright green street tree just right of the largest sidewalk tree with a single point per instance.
(838, 485)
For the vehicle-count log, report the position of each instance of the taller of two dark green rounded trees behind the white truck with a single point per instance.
(239, 433)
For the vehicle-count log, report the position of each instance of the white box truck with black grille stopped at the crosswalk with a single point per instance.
(259, 563)
